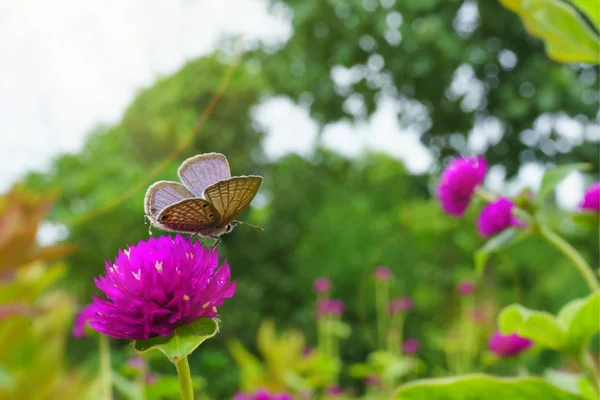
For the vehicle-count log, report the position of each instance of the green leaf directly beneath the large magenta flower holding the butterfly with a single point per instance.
(184, 340)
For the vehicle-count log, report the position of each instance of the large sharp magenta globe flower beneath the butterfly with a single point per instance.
(156, 286)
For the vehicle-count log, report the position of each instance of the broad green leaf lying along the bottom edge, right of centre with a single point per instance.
(479, 387)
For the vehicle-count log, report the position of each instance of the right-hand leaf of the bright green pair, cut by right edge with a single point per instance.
(581, 319)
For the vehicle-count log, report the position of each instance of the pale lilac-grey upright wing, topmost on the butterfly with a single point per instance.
(203, 170)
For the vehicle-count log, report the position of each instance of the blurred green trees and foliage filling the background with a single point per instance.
(324, 213)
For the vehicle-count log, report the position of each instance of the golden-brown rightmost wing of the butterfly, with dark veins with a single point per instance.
(231, 196)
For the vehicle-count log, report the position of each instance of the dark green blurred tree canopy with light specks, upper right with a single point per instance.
(409, 52)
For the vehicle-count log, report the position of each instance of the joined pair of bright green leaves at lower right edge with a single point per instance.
(570, 331)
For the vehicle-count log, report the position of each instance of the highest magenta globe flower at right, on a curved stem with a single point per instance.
(458, 183)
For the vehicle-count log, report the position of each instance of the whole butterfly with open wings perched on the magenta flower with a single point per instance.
(206, 204)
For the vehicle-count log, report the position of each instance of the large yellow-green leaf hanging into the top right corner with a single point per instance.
(565, 33)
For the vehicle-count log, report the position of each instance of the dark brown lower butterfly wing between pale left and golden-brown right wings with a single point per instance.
(189, 216)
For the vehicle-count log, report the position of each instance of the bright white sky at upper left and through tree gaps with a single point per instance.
(68, 65)
